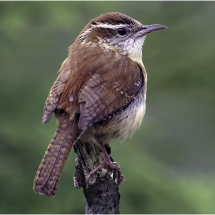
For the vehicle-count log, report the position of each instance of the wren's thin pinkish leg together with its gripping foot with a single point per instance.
(106, 162)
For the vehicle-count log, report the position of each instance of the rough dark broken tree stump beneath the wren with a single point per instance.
(101, 191)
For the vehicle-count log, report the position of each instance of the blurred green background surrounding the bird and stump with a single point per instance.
(169, 161)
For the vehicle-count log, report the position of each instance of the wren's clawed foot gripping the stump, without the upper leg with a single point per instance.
(106, 163)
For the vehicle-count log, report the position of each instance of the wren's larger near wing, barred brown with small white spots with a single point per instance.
(105, 95)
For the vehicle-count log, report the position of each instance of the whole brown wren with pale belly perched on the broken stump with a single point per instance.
(99, 94)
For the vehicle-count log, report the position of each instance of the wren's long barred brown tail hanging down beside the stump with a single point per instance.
(51, 166)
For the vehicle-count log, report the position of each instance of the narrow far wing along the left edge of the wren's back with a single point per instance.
(55, 91)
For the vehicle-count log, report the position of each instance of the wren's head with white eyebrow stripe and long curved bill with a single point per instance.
(117, 32)
